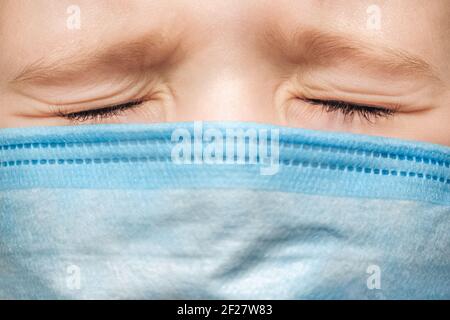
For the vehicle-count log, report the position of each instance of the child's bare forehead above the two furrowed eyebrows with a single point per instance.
(39, 27)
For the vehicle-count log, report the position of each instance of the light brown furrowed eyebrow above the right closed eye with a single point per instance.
(313, 47)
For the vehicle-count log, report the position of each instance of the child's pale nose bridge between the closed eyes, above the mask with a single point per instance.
(225, 85)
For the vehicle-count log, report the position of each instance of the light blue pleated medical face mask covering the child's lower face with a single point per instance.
(221, 210)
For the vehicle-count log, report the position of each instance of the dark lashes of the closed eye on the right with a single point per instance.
(349, 110)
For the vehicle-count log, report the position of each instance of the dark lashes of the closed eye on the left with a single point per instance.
(102, 113)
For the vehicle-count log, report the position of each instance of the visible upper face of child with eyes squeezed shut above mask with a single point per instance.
(285, 62)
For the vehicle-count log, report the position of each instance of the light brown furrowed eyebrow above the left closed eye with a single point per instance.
(132, 55)
